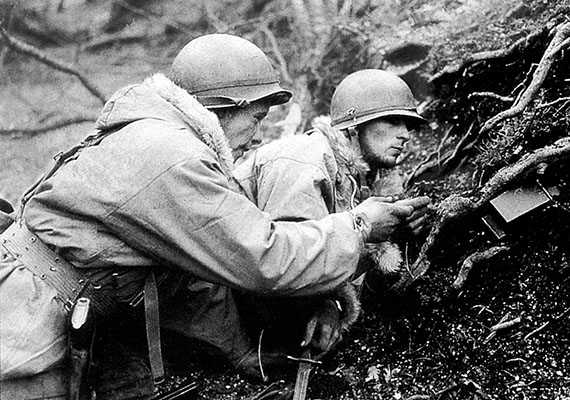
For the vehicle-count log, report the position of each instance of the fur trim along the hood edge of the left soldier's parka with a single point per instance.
(199, 118)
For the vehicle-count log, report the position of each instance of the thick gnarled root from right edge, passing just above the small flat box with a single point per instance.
(455, 207)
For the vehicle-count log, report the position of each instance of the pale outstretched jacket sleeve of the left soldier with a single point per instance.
(200, 224)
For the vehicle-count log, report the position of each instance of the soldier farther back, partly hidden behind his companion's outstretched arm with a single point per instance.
(333, 168)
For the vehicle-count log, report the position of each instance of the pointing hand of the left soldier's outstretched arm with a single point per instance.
(378, 218)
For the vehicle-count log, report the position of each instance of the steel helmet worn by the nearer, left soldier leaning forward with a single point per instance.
(226, 71)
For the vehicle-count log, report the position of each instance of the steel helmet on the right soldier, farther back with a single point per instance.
(369, 94)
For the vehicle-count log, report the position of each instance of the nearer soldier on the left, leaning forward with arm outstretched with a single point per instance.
(145, 215)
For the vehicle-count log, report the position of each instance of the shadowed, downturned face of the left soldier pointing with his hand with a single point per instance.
(241, 126)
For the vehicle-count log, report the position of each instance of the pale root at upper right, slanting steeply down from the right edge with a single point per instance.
(559, 42)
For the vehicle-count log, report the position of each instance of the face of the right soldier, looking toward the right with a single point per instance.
(382, 141)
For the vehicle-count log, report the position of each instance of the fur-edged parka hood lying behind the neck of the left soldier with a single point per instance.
(159, 98)
